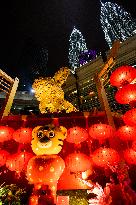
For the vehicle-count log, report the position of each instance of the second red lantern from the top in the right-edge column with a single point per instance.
(126, 94)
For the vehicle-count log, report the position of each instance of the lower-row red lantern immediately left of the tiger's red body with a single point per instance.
(18, 162)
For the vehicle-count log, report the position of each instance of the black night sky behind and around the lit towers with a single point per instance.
(50, 23)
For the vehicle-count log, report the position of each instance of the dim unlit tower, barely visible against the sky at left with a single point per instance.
(34, 59)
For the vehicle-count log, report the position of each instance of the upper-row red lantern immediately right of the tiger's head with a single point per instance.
(76, 135)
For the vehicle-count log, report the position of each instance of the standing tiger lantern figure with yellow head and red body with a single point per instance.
(45, 169)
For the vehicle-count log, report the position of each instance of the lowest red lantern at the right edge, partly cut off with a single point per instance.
(130, 156)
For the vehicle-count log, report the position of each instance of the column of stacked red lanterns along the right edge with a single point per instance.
(123, 78)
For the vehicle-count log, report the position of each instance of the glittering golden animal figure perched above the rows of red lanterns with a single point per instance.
(50, 94)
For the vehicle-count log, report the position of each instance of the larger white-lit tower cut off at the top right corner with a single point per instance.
(116, 23)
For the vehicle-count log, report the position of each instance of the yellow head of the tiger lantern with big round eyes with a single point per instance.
(48, 139)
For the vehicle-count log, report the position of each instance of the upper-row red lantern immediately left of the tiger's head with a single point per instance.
(23, 135)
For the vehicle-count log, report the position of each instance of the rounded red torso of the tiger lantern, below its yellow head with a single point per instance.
(45, 169)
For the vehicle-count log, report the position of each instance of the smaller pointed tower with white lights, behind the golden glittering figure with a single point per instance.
(77, 45)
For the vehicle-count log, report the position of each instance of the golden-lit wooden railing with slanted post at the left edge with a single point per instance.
(9, 87)
